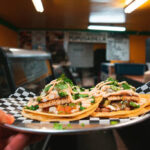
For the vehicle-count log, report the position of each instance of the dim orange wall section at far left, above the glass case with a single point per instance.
(8, 37)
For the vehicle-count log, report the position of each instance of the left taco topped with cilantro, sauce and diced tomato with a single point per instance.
(61, 100)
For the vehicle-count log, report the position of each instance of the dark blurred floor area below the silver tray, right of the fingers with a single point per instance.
(135, 137)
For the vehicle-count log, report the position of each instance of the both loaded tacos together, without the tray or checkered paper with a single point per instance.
(61, 100)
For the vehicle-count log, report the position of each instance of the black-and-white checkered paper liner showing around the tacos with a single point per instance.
(13, 105)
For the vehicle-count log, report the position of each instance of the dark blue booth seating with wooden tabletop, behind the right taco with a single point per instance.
(132, 73)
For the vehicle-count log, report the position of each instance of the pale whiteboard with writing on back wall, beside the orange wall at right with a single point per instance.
(117, 49)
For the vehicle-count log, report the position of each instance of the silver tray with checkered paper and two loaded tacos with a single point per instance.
(63, 107)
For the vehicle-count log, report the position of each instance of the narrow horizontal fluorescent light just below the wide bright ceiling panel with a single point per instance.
(106, 28)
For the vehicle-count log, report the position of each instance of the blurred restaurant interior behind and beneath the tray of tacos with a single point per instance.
(88, 41)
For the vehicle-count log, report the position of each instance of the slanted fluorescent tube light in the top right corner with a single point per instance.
(134, 5)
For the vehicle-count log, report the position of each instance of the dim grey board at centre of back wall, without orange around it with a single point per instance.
(81, 55)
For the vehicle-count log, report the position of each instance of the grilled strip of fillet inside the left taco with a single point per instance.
(54, 102)
